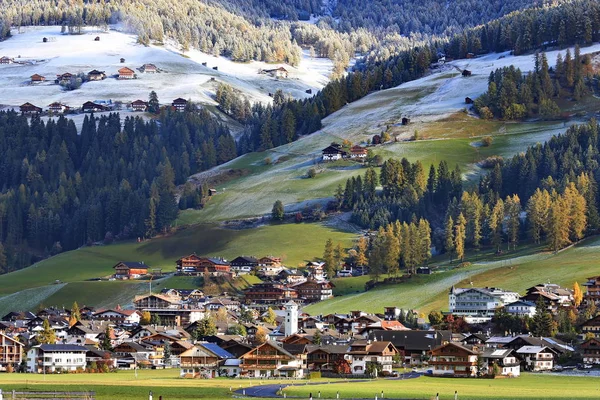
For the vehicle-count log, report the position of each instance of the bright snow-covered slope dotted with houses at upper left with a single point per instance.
(183, 76)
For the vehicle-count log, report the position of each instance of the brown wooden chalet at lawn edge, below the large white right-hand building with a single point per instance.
(453, 359)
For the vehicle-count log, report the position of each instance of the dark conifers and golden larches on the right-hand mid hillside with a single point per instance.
(548, 194)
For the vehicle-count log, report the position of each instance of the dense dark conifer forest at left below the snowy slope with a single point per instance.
(116, 179)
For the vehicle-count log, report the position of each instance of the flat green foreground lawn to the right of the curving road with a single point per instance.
(528, 386)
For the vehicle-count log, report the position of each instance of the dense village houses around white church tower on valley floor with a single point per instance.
(351, 345)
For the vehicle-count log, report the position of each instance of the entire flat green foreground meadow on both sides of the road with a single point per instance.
(123, 385)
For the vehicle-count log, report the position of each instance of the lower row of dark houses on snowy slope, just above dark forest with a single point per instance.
(178, 104)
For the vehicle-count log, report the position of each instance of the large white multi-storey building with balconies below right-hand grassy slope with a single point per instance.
(481, 302)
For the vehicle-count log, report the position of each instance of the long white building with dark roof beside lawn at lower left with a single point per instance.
(56, 357)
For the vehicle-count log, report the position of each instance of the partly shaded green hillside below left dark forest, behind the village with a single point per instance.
(62, 279)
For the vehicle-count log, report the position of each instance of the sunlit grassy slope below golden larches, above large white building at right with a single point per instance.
(430, 292)
